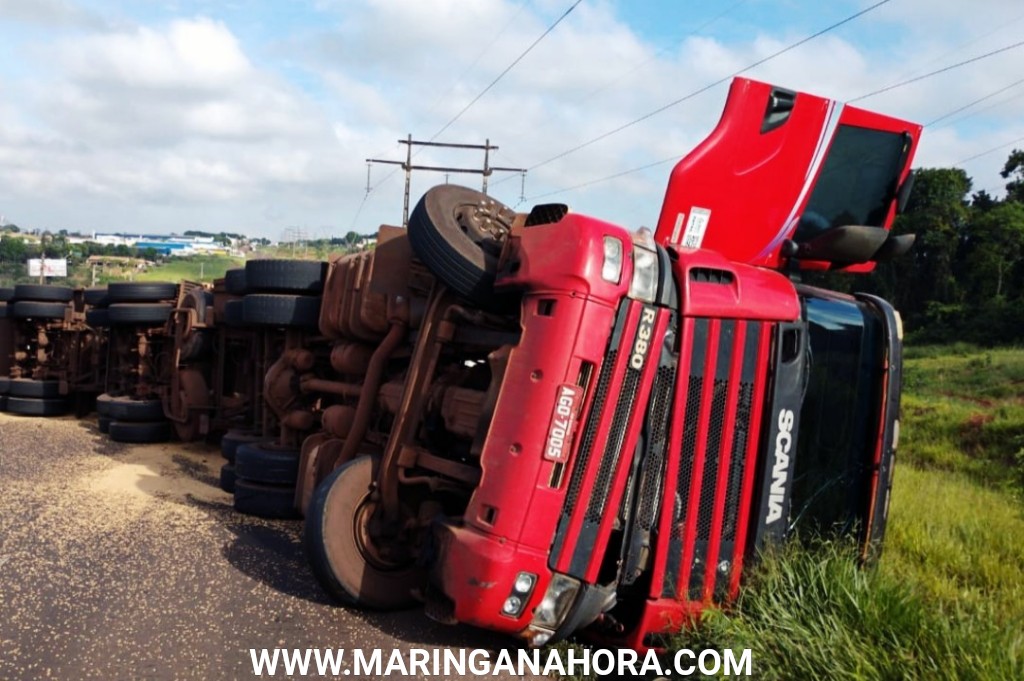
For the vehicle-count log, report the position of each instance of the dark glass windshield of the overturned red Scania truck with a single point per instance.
(840, 418)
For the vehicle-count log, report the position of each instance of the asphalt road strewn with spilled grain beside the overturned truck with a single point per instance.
(125, 562)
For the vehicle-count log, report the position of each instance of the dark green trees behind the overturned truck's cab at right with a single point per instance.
(964, 280)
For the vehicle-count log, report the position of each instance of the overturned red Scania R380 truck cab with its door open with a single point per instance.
(543, 423)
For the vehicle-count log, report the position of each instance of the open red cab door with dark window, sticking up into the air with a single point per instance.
(780, 163)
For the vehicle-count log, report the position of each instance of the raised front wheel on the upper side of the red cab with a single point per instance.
(458, 233)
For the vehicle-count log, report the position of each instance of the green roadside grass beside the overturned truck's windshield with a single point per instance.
(947, 600)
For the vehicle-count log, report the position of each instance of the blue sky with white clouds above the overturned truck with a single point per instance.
(259, 117)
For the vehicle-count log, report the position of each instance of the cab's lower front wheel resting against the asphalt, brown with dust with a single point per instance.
(340, 551)
